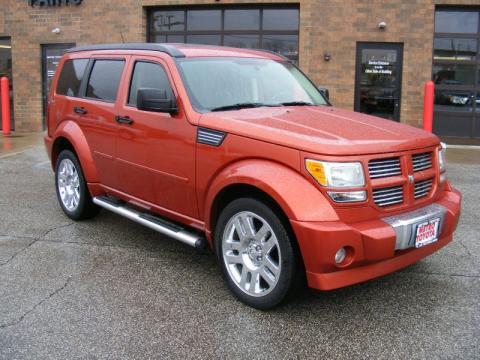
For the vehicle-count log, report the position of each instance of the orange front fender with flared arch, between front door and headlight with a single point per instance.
(271, 168)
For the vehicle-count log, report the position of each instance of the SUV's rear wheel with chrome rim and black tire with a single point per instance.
(71, 188)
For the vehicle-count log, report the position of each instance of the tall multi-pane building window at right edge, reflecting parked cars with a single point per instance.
(456, 71)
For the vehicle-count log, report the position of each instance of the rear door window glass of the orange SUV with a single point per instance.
(105, 79)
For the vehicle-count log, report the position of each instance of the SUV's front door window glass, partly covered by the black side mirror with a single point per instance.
(150, 76)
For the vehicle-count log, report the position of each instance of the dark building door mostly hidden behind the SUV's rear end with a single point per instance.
(51, 55)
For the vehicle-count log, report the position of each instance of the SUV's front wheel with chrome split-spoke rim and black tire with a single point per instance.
(256, 253)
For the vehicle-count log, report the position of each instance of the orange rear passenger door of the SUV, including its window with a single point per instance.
(96, 111)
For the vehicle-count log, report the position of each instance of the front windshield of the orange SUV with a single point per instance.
(215, 84)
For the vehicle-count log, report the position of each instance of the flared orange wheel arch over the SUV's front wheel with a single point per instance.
(279, 186)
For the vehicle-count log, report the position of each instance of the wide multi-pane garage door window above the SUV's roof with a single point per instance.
(259, 27)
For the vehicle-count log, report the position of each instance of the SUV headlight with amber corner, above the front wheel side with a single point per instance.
(336, 174)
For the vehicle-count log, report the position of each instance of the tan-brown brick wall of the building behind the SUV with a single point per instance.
(332, 26)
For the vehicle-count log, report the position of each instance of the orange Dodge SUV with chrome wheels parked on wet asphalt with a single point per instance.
(239, 151)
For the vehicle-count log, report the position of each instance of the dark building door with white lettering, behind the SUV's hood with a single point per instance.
(378, 81)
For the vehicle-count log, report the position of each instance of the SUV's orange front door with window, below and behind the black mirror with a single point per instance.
(155, 156)
